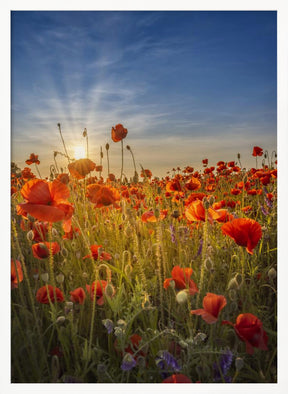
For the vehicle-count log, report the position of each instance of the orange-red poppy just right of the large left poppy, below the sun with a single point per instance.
(103, 196)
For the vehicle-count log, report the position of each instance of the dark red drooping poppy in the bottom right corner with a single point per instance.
(249, 329)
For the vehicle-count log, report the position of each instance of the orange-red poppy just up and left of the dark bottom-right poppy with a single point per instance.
(212, 304)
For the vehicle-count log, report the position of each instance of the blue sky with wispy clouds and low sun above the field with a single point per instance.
(187, 85)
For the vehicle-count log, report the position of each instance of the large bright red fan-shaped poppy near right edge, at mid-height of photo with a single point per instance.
(245, 232)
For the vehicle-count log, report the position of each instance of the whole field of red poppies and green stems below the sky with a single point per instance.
(147, 279)
